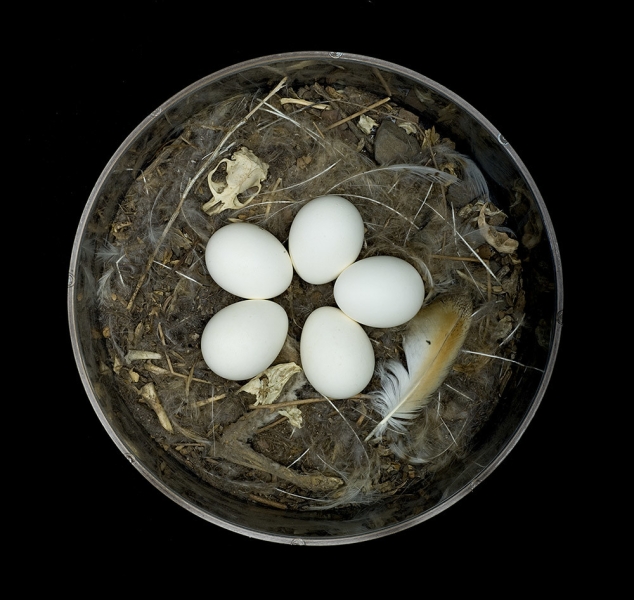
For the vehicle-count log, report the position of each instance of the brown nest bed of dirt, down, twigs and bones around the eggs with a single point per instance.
(274, 440)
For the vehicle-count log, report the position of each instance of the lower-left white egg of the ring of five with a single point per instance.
(243, 339)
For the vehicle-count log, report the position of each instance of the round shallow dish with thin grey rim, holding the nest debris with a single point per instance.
(144, 376)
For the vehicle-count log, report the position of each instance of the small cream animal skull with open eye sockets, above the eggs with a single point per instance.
(244, 170)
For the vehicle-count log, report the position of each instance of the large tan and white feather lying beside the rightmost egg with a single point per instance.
(431, 344)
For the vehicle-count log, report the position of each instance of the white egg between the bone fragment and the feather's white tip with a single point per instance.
(336, 353)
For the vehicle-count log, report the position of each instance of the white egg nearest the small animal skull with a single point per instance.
(248, 261)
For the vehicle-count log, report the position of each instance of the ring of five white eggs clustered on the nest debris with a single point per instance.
(325, 239)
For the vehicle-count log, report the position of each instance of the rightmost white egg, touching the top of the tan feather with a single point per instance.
(380, 291)
